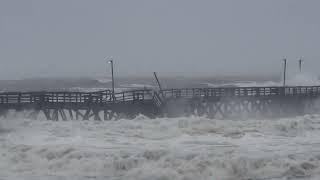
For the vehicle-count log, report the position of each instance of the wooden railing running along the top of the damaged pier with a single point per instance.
(106, 97)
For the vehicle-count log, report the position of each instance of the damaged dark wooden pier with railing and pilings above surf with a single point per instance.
(223, 103)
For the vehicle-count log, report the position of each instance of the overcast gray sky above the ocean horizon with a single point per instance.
(201, 37)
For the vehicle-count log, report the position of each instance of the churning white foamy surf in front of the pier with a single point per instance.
(161, 149)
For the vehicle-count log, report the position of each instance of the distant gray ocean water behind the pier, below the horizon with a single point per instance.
(128, 83)
